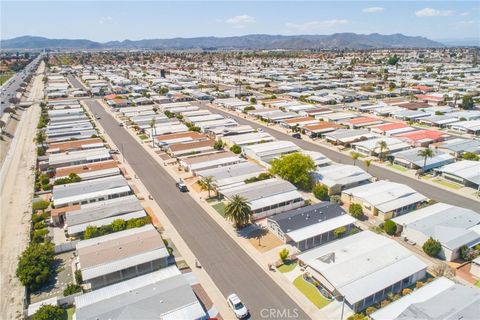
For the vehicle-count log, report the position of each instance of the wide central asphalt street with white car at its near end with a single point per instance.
(232, 270)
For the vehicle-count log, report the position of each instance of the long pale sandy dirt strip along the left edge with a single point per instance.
(16, 183)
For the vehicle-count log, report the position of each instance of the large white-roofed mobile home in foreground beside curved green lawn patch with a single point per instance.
(363, 268)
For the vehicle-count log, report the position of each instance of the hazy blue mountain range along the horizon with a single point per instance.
(253, 41)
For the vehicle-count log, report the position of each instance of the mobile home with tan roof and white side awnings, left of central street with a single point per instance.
(120, 256)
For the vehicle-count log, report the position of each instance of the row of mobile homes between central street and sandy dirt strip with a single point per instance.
(123, 269)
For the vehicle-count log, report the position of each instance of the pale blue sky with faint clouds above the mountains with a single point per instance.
(119, 20)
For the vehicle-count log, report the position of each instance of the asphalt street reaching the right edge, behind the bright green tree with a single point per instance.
(432, 192)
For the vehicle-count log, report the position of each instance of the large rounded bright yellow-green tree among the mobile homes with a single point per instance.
(295, 168)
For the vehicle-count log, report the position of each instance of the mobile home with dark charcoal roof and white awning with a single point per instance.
(311, 226)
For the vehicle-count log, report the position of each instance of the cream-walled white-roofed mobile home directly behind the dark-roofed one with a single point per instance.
(384, 199)
